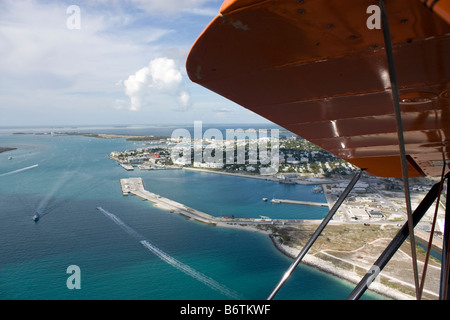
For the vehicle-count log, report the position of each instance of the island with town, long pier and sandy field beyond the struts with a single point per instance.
(360, 230)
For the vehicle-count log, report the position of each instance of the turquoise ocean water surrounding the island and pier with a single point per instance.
(184, 260)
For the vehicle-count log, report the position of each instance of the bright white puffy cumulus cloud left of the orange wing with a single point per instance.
(158, 85)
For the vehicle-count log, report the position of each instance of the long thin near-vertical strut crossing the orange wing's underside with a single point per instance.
(396, 100)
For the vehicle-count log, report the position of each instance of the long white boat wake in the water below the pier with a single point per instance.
(213, 284)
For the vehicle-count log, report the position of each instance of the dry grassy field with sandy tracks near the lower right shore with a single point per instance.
(355, 247)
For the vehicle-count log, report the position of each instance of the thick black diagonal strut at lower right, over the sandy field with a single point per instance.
(396, 243)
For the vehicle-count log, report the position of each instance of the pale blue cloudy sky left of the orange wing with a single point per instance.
(117, 62)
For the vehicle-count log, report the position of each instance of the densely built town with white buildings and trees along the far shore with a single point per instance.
(295, 156)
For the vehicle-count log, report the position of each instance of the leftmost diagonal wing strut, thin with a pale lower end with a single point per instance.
(316, 234)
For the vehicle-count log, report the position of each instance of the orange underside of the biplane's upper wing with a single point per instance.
(315, 68)
